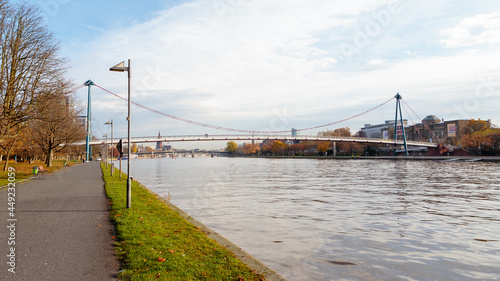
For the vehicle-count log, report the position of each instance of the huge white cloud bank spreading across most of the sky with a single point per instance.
(275, 64)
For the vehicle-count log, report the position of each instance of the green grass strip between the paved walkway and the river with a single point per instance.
(154, 242)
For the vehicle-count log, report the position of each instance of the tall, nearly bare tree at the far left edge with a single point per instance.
(29, 69)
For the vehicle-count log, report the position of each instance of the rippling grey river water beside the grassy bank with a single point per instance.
(344, 219)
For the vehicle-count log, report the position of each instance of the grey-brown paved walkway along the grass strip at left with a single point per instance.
(62, 232)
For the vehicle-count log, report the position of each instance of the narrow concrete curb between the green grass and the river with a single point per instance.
(253, 263)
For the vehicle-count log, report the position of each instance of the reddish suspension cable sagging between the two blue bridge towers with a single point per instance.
(239, 130)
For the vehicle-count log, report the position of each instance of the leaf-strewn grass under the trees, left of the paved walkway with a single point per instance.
(24, 170)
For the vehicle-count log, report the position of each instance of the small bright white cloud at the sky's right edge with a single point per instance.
(471, 31)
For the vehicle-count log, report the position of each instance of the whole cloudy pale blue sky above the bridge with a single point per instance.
(281, 64)
